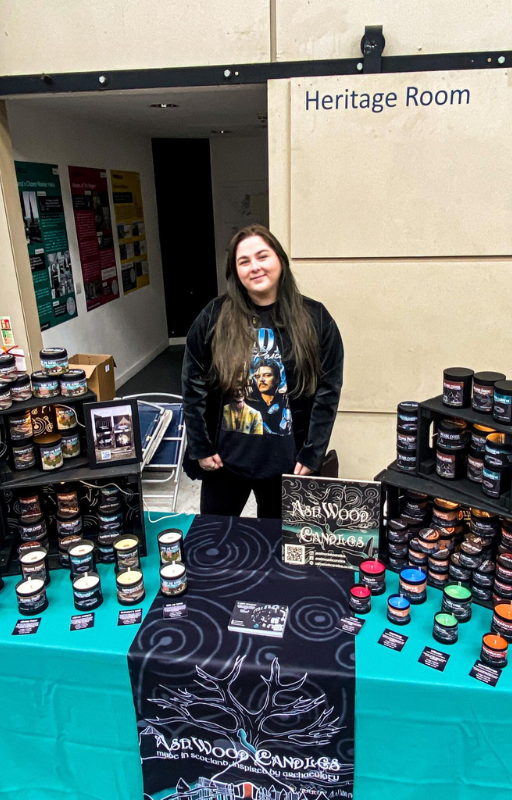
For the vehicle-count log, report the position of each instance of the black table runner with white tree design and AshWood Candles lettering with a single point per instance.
(235, 715)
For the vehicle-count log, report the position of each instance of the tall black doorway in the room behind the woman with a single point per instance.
(183, 187)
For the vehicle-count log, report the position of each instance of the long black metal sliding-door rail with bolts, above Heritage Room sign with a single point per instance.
(240, 74)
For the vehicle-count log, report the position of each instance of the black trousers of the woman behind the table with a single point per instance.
(225, 493)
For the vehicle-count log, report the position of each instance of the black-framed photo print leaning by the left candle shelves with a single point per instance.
(113, 433)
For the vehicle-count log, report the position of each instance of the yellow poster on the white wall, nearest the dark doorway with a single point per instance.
(131, 230)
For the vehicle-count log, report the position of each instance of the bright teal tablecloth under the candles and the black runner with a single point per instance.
(68, 730)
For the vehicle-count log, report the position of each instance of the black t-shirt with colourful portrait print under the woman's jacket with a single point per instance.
(256, 437)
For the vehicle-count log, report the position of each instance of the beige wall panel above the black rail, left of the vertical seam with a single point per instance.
(87, 35)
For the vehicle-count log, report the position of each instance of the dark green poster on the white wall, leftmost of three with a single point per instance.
(47, 241)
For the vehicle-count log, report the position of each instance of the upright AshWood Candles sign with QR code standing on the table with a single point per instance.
(329, 522)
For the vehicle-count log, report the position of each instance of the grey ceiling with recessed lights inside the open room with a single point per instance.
(200, 110)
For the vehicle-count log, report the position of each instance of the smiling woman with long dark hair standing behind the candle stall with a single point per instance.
(262, 377)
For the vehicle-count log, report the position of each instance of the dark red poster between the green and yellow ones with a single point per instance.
(93, 220)
